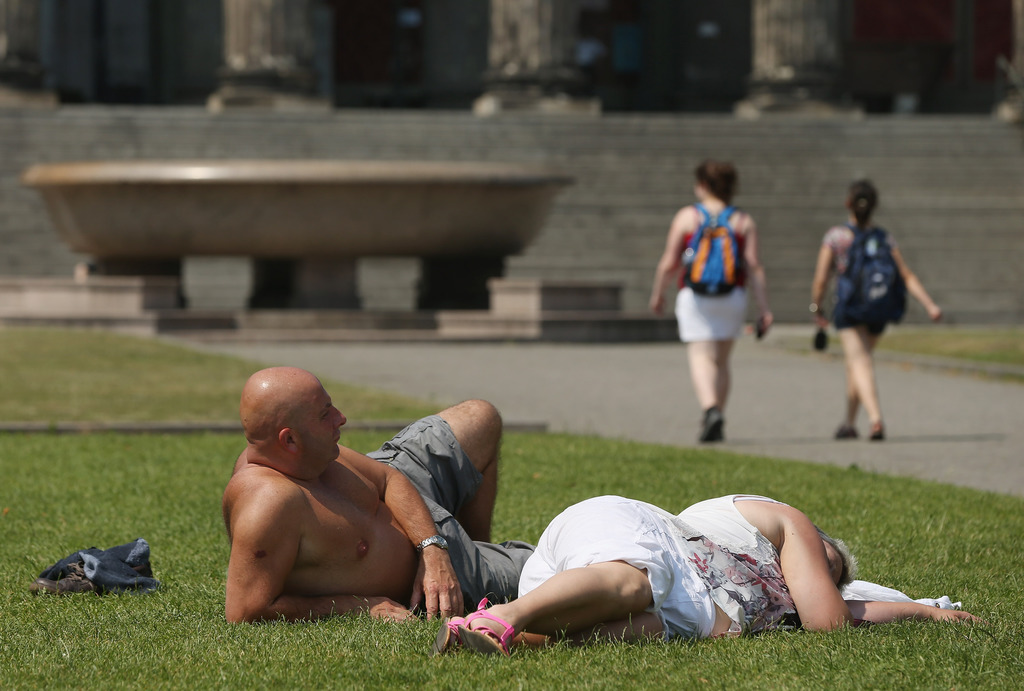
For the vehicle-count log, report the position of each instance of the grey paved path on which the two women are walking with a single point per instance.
(944, 425)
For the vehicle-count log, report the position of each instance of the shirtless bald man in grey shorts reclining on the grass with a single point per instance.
(319, 530)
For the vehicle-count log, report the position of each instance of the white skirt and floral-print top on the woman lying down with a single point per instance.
(690, 574)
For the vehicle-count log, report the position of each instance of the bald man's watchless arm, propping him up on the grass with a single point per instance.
(264, 553)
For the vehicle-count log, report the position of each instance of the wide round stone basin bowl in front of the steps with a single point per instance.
(302, 209)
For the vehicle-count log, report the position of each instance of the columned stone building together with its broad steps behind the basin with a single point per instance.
(278, 79)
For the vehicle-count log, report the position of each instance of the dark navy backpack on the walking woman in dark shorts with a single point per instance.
(871, 290)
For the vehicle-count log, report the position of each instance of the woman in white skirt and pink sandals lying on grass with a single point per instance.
(626, 570)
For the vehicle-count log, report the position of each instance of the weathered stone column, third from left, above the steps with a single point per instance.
(532, 59)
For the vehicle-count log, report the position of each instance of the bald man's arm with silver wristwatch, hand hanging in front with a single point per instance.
(437, 584)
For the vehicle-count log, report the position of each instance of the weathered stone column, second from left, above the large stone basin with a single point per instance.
(269, 57)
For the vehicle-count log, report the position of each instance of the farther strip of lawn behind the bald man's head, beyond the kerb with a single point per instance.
(54, 376)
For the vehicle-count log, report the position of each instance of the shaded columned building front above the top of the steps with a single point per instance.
(682, 56)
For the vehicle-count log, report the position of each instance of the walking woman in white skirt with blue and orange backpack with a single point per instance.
(711, 315)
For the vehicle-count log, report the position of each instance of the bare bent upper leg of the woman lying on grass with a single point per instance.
(577, 600)
